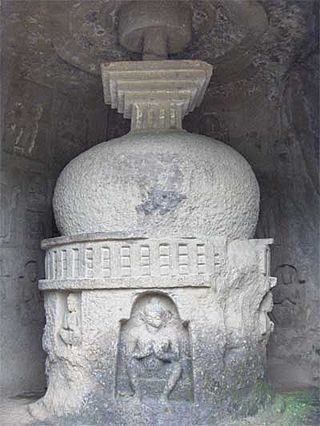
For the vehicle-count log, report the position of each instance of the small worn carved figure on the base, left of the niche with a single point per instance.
(70, 331)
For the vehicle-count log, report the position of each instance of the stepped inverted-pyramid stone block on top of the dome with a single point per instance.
(171, 87)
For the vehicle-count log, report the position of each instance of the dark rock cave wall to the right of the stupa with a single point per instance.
(271, 115)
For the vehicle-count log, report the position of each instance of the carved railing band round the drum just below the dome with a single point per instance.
(114, 261)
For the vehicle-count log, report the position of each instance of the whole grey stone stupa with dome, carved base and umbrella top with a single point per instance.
(156, 294)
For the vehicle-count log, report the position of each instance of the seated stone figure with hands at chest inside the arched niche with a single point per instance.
(152, 345)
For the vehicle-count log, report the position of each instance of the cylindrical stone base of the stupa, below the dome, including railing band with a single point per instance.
(132, 320)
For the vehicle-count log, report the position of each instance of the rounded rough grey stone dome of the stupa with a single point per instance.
(158, 184)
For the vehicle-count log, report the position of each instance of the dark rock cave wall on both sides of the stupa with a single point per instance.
(267, 110)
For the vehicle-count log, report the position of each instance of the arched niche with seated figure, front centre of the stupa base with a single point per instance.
(154, 358)
